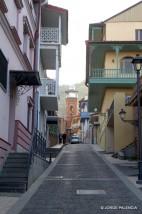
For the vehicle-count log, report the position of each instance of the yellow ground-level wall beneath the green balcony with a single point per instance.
(120, 134)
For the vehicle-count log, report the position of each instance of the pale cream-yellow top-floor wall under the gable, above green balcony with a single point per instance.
(122, 31)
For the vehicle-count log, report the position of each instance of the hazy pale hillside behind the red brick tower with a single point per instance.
(82, 92)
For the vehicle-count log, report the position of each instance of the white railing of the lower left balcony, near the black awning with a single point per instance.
(48, 87)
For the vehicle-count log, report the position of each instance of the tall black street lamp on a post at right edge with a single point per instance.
(137, 63)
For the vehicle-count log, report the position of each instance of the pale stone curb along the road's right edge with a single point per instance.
(122, 177)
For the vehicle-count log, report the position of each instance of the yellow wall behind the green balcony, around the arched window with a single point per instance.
(110, 58)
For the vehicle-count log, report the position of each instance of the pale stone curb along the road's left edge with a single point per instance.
(24, 199)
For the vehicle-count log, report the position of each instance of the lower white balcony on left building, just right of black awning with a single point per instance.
(48, 94)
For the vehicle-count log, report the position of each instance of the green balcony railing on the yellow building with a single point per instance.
(112, 73)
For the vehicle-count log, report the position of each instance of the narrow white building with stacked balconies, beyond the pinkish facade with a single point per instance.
(53, 34)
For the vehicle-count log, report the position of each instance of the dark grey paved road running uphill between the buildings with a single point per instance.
(82, 183)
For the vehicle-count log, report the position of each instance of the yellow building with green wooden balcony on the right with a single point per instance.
(110, 75)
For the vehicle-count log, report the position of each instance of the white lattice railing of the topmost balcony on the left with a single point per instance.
(49, 35)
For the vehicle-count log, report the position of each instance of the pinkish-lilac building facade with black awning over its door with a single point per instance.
(18, 76)
